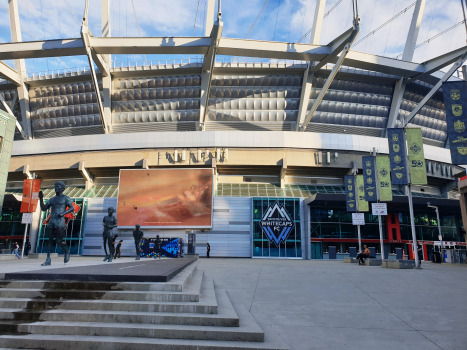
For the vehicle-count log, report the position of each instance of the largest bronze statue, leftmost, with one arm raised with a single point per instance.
(60, 206)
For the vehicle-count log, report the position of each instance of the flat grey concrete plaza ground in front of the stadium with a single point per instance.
(322, 304)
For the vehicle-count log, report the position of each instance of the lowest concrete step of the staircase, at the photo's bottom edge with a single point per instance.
(272, 341)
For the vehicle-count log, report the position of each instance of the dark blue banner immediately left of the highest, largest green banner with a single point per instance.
(397, 156)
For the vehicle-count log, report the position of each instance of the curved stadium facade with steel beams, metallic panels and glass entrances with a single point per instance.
(284, 125)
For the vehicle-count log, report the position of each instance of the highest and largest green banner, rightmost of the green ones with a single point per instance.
(416, 156)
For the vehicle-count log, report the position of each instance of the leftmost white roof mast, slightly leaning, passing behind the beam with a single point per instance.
(20, 66)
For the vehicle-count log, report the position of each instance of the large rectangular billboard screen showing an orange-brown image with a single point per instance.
(165, 198)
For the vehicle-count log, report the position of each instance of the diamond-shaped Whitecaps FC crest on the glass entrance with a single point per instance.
(276, 223)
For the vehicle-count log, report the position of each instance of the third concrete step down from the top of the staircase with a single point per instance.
(207, 302)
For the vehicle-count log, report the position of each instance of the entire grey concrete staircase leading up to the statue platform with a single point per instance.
(186, 313)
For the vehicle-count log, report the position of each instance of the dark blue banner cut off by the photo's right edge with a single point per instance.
(455, 100)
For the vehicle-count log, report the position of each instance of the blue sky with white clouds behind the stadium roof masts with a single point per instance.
(281, 20)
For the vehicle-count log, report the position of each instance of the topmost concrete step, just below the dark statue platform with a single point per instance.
(175, 285)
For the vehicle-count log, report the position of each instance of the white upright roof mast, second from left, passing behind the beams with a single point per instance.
(107, 80)
